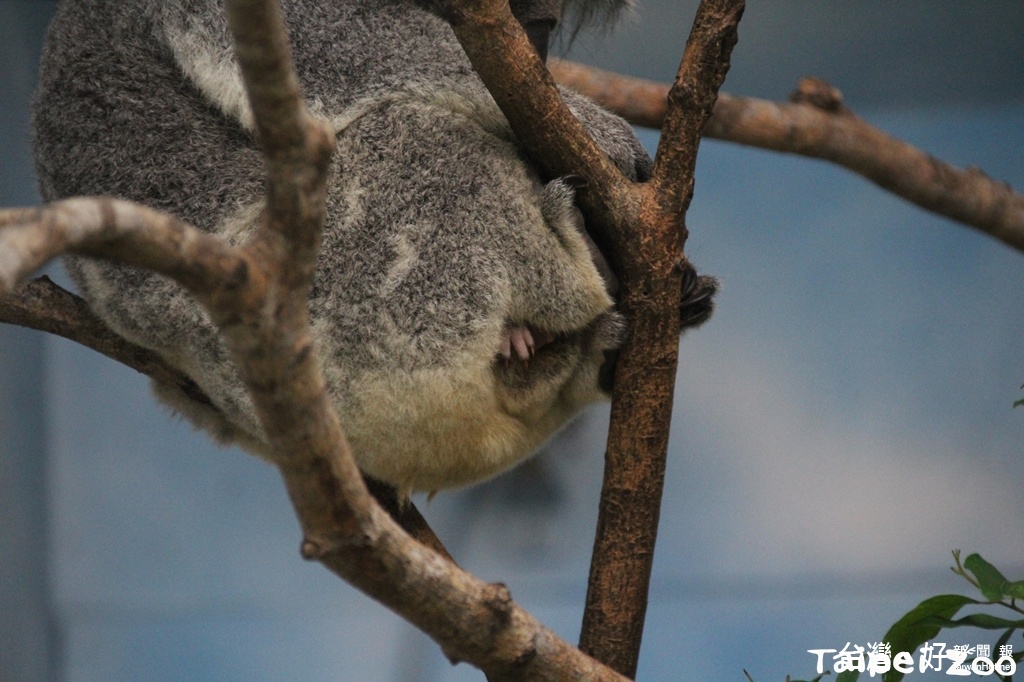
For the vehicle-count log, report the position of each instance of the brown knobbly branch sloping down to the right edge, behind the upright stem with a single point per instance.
(822, 129)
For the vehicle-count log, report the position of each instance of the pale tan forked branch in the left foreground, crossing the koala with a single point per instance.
(257, 294)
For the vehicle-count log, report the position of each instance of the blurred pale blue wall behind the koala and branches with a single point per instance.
(841, 425)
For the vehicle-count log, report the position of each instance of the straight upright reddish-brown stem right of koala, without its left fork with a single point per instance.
(642, 412)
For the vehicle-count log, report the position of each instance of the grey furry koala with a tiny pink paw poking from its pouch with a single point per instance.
(461, 312)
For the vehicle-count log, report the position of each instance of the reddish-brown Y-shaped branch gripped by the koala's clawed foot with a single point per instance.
(641, 230)
